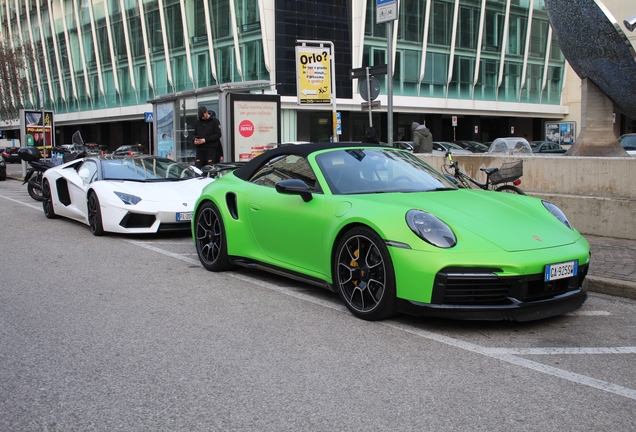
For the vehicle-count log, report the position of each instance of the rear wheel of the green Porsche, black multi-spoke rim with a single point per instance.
(210, 238)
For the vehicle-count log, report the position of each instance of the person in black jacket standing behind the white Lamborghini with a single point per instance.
(207, 138)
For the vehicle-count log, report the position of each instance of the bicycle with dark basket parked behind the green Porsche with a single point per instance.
(510, 172)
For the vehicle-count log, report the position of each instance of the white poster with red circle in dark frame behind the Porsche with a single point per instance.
(255, 124)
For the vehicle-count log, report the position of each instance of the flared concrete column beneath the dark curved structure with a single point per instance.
(597, 131)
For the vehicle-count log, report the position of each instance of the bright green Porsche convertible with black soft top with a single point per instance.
(391, 235)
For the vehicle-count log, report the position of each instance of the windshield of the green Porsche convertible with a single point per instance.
(367, 170)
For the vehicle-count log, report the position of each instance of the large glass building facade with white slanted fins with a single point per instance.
(488, 61)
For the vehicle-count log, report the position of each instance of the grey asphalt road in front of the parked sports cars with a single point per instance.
(131, 333)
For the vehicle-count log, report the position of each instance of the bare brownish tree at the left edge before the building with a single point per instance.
(15, 62)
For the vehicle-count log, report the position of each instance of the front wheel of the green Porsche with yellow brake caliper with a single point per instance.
(364, 276)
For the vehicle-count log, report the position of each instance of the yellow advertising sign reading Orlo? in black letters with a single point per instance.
(313, 71)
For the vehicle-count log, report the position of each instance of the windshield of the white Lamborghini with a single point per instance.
(147, 168)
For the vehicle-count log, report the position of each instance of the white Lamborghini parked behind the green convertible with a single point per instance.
(127, 195)
